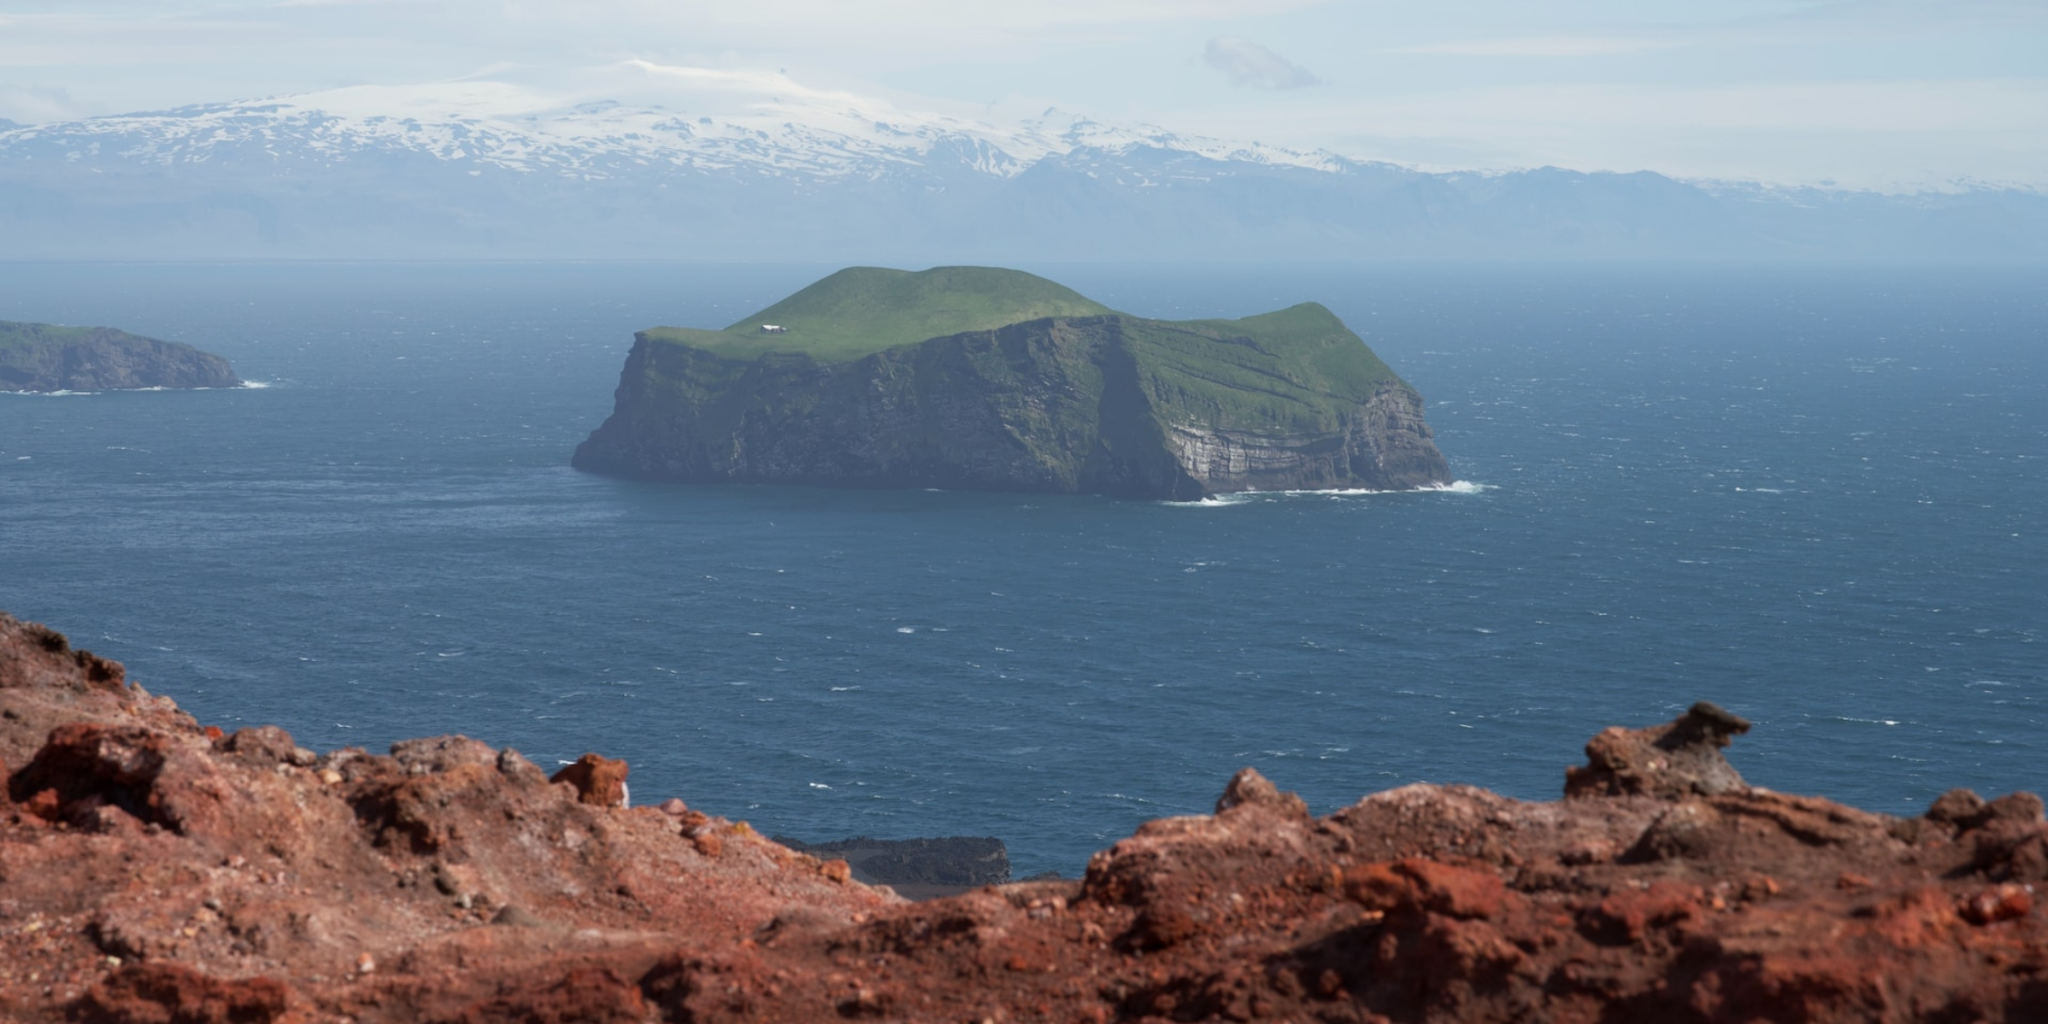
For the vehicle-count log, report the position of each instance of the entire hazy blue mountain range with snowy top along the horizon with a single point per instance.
(499, 171)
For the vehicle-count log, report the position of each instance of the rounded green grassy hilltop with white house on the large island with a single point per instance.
(863, 310)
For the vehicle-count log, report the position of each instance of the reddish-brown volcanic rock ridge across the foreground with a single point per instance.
(159, 871)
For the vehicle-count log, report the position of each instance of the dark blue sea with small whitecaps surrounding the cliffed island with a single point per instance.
(1814, 497)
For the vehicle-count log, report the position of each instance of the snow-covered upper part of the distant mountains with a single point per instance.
(712, 122)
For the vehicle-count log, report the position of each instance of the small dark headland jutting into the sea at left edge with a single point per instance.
(46, 357)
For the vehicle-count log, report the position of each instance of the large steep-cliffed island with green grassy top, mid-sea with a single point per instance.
(974, 378)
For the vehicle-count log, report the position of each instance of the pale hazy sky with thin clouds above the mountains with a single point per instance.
(1891, 95)
